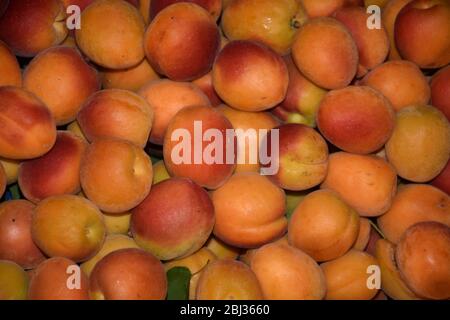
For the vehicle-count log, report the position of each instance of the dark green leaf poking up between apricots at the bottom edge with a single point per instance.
(178, 279)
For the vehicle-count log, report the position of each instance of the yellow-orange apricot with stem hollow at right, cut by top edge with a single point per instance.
(273, 23)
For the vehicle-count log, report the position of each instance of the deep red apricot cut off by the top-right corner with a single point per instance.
(422, 33)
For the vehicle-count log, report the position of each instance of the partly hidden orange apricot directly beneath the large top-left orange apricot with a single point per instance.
(132, 78)
